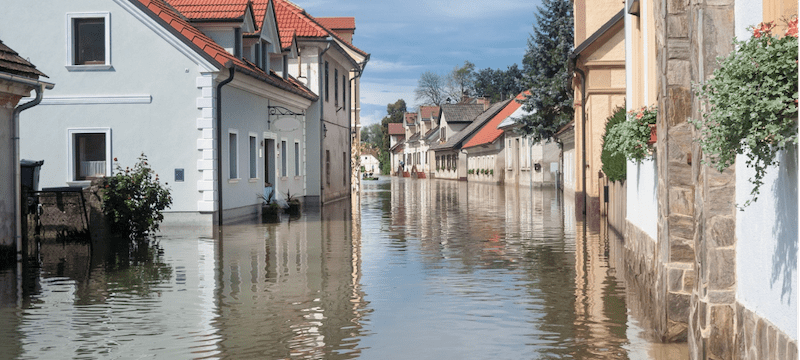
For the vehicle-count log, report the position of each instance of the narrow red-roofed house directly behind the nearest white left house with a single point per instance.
(330, 66)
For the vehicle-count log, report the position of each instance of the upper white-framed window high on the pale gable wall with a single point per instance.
(88, 41)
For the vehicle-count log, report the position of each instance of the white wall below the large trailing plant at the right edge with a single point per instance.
(766, 243)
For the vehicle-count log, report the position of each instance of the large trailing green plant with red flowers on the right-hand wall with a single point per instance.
(752, 104)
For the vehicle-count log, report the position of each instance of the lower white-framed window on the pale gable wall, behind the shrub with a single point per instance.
(90, 153)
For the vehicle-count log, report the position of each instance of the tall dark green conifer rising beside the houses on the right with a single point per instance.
(546, 71)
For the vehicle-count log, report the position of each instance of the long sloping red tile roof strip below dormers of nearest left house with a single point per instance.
(172, 19)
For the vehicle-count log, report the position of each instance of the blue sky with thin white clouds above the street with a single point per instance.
(407, 38)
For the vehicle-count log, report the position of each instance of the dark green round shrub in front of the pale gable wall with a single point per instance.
(134, 200)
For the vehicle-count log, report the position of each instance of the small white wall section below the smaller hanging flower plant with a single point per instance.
(642, 199)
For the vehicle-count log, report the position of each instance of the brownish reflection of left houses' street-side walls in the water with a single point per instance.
(292, 285)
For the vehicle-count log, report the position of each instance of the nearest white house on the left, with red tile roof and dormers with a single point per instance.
(196, 91)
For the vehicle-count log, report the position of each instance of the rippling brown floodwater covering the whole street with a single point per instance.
(423, 269)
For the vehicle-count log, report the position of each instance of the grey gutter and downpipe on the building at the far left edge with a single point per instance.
(39, 87)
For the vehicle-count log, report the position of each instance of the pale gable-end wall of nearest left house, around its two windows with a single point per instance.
(158, 119)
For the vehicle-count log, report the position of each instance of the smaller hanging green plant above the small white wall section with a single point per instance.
(629, 138)
